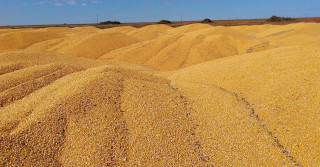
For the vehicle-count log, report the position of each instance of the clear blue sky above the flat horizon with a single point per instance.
(30, 12)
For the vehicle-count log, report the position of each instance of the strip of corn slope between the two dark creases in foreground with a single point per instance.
(227, 130)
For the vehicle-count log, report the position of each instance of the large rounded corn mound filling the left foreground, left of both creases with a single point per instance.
(95, 118)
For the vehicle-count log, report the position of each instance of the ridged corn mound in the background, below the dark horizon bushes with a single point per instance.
(185, 46)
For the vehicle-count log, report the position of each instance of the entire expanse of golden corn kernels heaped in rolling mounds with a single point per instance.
(196, 95)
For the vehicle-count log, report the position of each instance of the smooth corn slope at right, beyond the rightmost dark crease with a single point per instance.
(282, 86)
